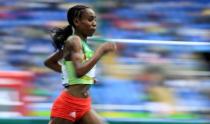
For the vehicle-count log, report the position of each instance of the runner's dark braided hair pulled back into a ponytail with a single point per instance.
(59, 35)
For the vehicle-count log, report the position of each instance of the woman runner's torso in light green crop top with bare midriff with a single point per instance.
(77, 86)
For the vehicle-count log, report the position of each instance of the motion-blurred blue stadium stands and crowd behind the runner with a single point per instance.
(161, 76)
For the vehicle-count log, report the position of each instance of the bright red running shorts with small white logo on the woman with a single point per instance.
(69, 107)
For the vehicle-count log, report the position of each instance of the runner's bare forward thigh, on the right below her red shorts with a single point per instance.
(91, 117)
